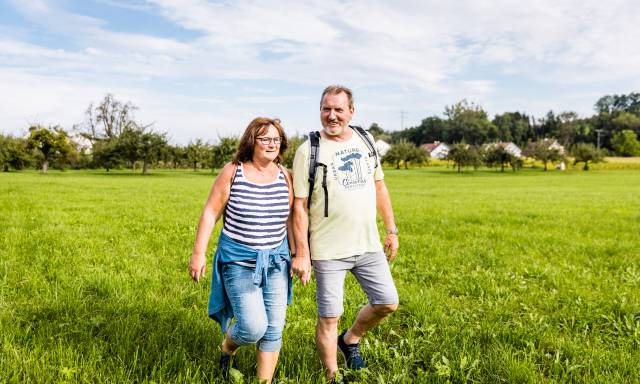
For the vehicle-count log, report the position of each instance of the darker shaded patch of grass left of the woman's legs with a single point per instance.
(139, 340)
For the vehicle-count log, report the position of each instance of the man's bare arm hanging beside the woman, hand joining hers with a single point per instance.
(301, 265)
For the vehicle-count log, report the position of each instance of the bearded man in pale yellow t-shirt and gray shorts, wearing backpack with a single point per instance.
(347, 238)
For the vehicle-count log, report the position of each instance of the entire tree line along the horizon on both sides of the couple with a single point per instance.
(111, 138)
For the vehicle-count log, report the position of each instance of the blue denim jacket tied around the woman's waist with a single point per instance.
(229, 251)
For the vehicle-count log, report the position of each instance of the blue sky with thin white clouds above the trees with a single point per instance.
(205, 69)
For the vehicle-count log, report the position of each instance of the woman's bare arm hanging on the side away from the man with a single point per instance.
(210, 214)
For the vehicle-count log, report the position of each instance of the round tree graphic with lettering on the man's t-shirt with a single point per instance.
(351, 168)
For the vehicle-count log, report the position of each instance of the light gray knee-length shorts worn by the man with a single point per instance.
(370, 269)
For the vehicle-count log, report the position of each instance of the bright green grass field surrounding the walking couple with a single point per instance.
(515, 278)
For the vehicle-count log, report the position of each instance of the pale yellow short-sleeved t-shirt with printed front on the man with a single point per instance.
(351, 227)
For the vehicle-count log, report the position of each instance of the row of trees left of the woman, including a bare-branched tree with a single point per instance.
(109, 138)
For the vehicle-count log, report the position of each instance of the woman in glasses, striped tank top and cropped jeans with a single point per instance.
(251, 278)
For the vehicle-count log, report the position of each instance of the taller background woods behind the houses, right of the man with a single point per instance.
(614, 127)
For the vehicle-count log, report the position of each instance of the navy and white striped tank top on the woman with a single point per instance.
(256, 214)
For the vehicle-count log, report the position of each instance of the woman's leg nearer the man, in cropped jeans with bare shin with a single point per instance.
(275, 303)
